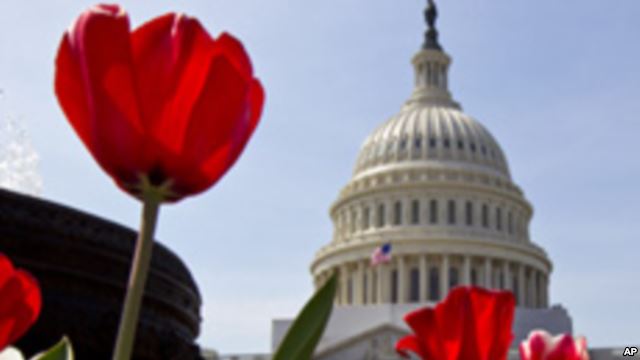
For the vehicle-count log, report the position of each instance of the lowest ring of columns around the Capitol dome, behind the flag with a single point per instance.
(428, 278)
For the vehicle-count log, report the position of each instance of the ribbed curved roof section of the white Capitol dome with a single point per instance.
(425, 134)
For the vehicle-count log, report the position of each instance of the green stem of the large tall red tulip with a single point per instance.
(137, 277)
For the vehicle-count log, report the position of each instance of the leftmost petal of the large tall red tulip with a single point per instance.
(97, 91)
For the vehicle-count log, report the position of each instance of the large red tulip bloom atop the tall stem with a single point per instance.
(165, 105)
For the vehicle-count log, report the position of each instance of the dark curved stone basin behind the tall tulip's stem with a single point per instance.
(82, 264)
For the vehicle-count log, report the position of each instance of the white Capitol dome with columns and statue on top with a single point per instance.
(435, 184)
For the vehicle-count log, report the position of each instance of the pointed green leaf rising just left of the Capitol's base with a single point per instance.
(307, 328)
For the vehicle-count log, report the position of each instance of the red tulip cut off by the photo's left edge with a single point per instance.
(20, 302)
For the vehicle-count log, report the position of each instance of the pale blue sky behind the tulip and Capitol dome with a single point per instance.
(556, 82)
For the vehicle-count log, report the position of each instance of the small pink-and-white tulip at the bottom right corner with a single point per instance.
(542, 346)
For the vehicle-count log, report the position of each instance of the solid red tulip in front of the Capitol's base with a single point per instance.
(470, 324)
